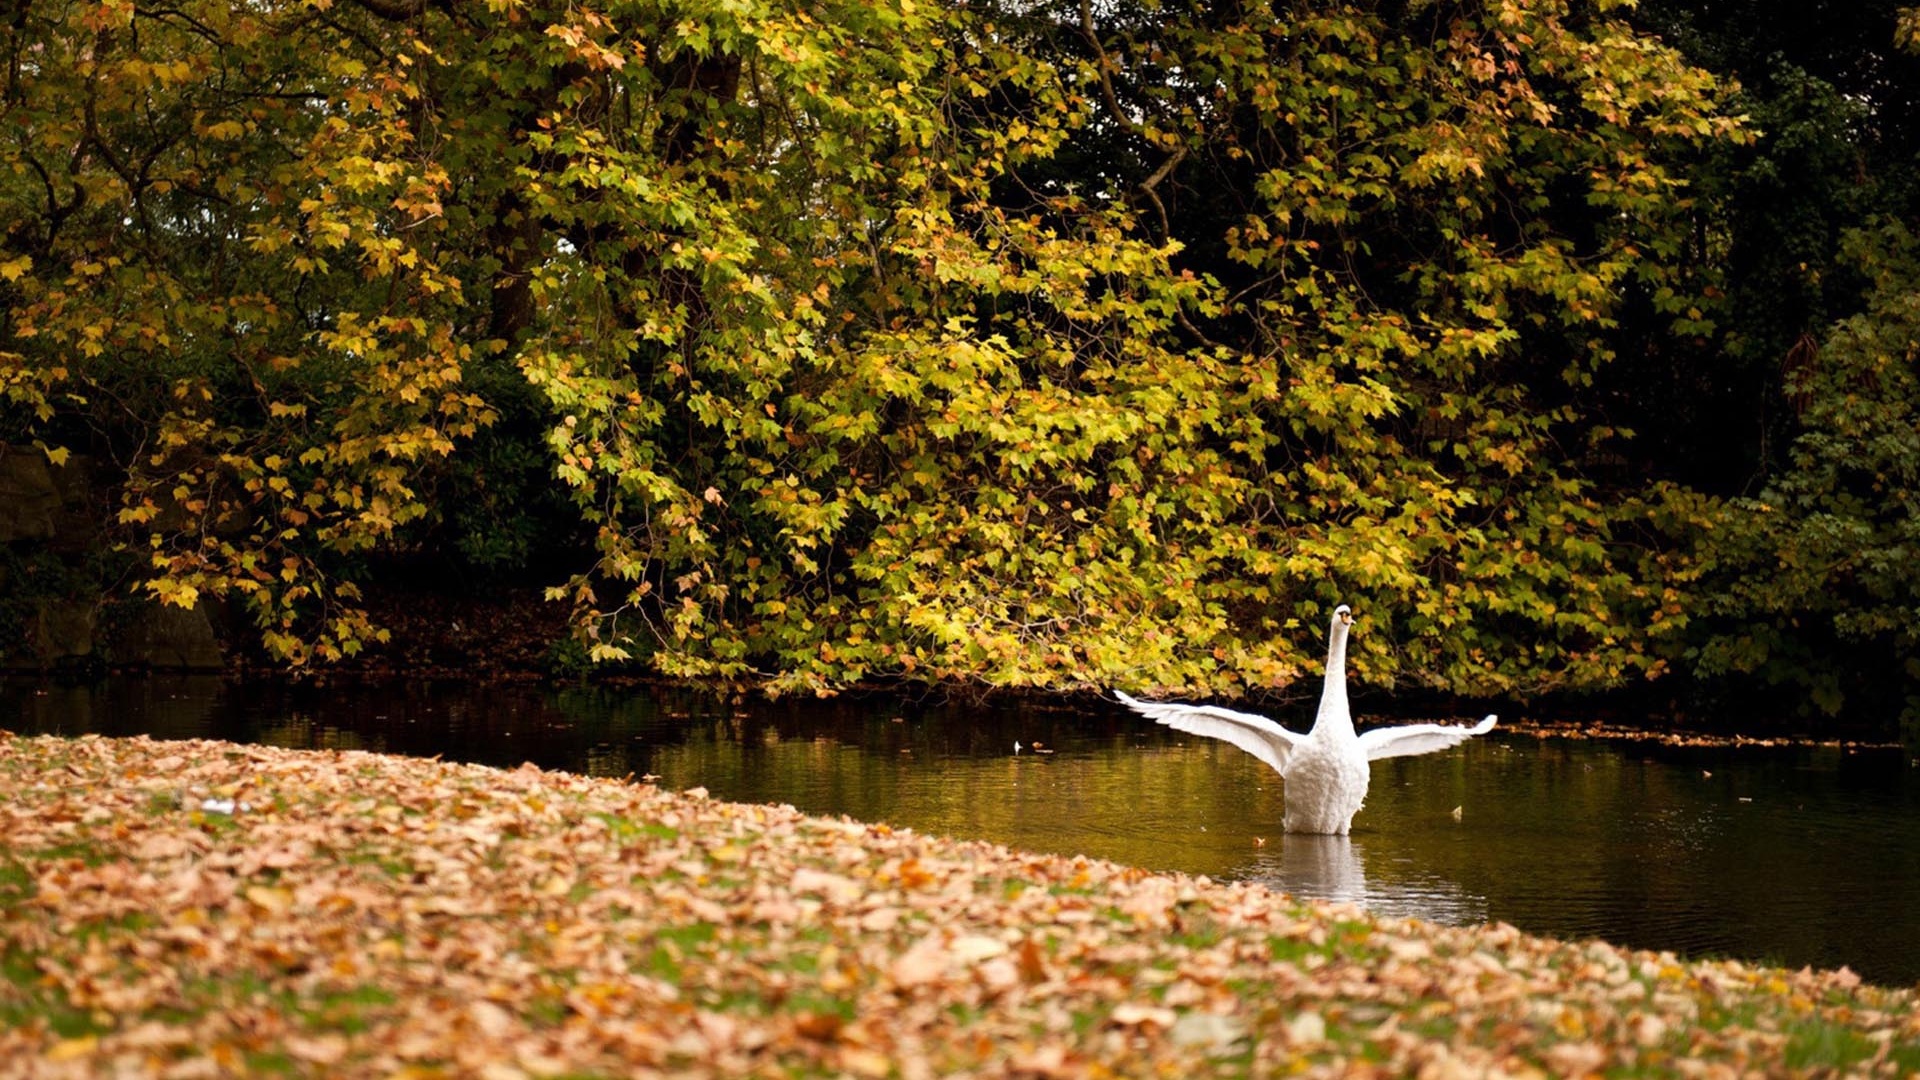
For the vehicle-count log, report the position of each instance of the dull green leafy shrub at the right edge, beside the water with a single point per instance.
(1813, 583)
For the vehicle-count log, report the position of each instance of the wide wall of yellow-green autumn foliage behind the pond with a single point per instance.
(1036, 343)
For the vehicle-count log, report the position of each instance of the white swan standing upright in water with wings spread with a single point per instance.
(1326, 772)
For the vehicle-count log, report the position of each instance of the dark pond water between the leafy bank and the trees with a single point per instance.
(1796, 856)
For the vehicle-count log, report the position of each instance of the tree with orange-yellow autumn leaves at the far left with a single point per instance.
(228, 255)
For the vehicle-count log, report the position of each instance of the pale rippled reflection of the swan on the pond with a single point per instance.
(1335, 870)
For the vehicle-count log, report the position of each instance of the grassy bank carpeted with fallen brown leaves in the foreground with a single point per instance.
(214, 910)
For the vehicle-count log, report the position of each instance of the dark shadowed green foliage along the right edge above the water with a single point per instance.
(1804, 406)
